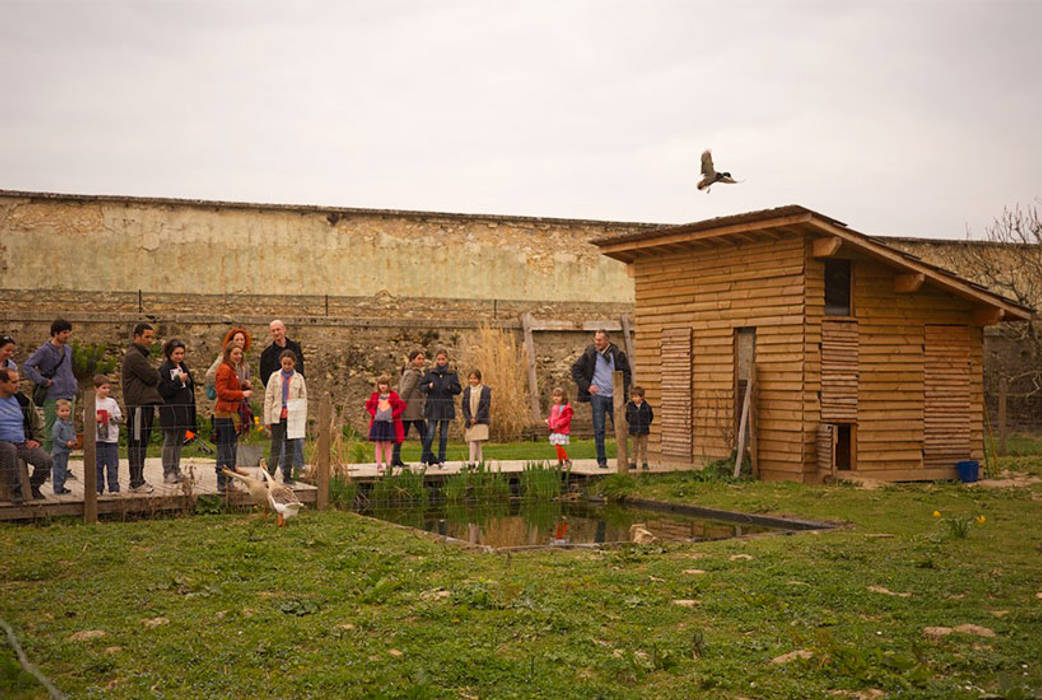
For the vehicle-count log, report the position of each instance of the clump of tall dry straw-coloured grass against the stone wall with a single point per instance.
(504, 364)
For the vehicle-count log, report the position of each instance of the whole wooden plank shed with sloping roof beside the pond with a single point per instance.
(863, 358)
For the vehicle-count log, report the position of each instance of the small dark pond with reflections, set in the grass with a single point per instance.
(540, 523)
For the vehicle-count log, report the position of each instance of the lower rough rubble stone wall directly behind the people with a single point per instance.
(344, 354)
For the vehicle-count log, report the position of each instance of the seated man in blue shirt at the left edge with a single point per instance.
(21, 433)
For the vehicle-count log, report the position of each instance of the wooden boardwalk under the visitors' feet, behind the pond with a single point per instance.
(204, 483)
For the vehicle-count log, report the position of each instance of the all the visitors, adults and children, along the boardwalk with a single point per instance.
(425, 402)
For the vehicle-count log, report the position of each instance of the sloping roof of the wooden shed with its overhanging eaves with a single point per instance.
(829, 238)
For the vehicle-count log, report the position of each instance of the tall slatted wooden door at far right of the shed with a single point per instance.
(947, 401)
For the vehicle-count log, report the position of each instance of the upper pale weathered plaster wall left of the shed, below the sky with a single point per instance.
(122, 244)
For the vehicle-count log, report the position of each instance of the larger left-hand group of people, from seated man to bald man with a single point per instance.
(171, 388)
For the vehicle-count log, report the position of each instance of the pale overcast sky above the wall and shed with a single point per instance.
(899, 118)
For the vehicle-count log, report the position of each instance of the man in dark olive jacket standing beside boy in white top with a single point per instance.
(141, 396)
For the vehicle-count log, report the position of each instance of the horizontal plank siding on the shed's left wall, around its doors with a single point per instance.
(711, 293)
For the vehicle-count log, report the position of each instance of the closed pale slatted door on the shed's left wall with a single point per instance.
(676, 426)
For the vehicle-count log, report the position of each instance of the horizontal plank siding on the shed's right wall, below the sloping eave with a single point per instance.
(891, 407)
